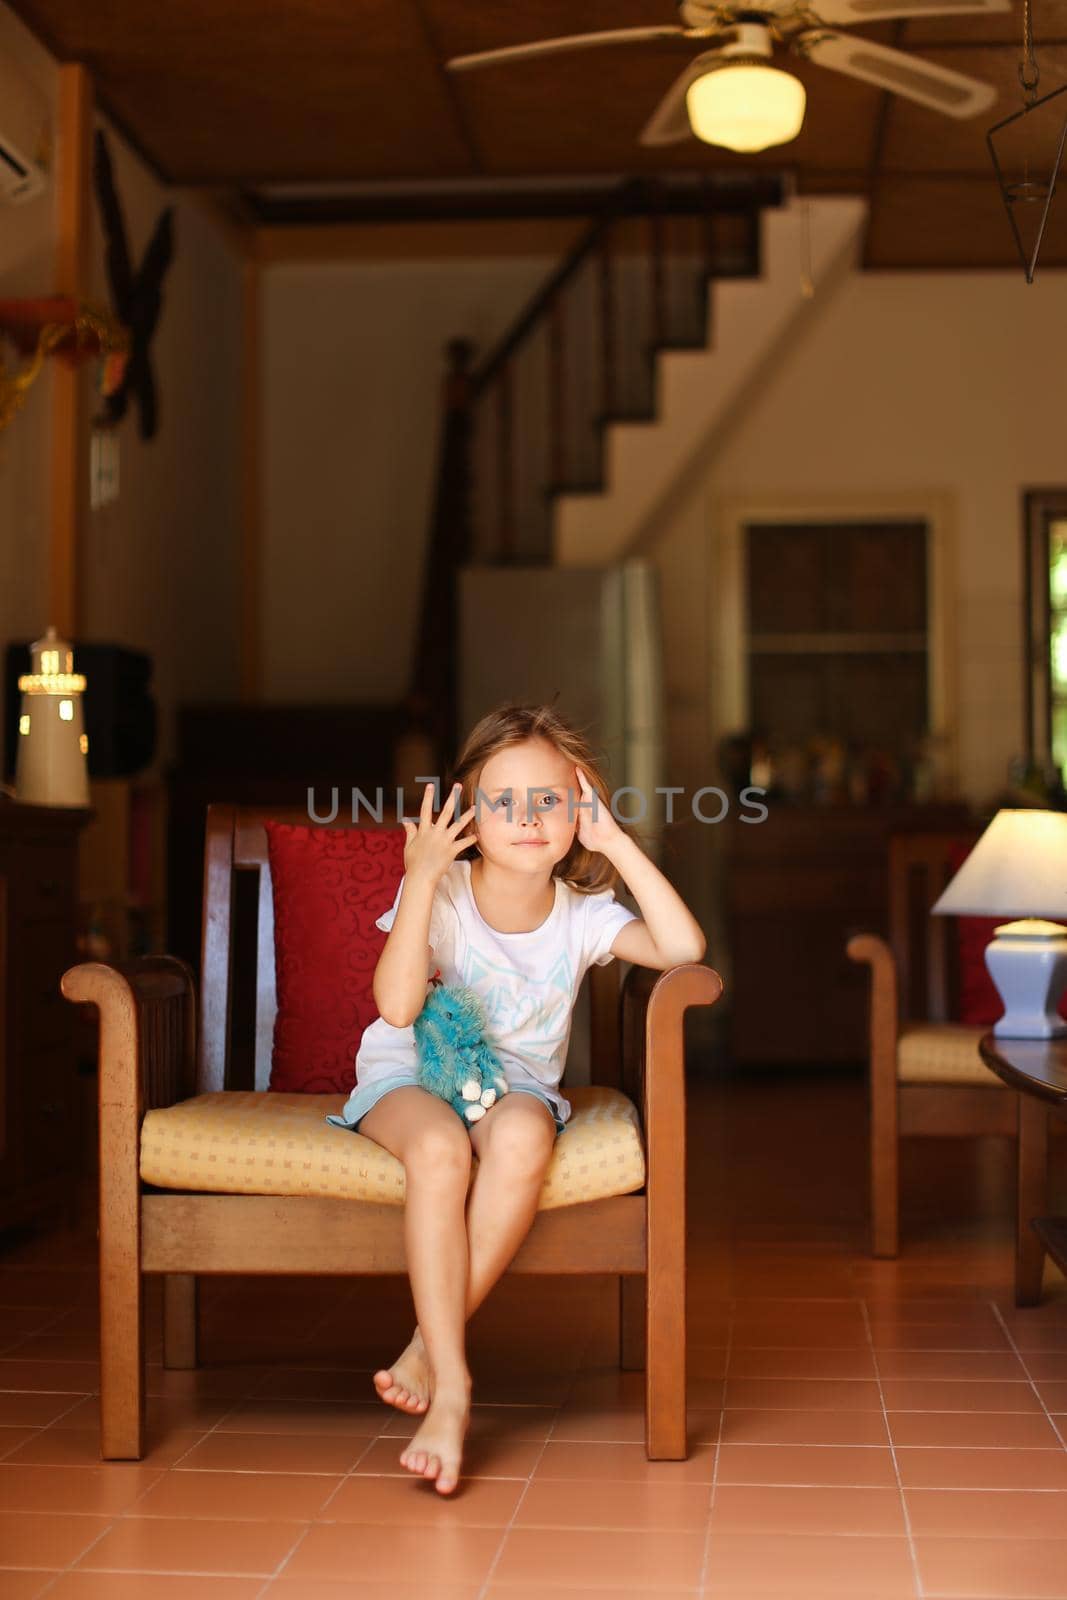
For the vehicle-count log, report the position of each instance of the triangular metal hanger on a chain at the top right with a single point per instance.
(1028, 196)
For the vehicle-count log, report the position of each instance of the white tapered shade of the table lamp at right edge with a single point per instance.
(1017, 870)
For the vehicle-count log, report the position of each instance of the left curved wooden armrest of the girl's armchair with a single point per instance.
(148, 1033)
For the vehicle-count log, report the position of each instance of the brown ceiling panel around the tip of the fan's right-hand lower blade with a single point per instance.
(924, 142)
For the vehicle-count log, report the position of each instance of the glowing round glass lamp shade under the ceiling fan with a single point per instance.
(746, 106)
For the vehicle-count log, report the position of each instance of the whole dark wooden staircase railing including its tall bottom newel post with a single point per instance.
(533, 425)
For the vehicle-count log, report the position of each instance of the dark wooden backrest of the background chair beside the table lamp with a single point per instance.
(925, 948)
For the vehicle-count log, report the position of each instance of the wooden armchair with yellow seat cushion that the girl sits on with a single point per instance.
(154, 1062)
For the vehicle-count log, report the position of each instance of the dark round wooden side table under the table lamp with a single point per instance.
(1037, 1068)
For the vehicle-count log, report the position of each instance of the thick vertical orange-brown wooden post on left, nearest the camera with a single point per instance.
(71, 441)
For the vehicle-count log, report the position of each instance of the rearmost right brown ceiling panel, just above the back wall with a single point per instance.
(951, 223)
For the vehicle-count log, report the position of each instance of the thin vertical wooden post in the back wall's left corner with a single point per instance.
(252, 497)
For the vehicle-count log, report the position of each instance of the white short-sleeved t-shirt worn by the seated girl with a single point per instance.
(527, 982)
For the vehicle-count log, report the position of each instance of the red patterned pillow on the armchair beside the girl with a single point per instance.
(329, 886)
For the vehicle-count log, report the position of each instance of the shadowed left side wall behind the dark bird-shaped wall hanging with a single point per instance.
(161, 566)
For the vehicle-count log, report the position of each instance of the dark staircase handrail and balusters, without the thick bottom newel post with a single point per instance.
(585, 356)
